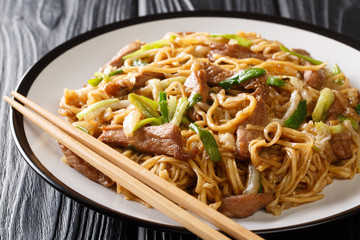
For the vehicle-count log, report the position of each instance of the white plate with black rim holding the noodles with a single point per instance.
(72, 63)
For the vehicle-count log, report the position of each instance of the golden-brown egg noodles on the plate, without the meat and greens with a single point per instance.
(294, 164)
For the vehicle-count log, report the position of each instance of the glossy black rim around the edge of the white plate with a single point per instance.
(24, 85)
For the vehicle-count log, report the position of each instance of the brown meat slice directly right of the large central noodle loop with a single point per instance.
(245, 136)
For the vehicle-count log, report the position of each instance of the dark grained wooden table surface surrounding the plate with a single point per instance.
(32, 209)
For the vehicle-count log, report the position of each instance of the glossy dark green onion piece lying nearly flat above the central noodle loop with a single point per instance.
(241, 77)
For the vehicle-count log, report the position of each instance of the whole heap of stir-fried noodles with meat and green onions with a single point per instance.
(286, 139)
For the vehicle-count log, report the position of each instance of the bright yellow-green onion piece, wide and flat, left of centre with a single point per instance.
(146, 106)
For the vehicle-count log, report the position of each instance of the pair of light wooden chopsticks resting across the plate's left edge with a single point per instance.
(156, 191)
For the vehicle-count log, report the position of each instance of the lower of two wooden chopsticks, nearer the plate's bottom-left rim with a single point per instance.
(118, 175)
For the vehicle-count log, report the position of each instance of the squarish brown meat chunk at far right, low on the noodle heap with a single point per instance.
(341, 145)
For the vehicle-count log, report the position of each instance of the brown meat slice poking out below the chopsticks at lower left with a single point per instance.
(85, 169)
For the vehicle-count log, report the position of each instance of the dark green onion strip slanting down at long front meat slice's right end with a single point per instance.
(209, 142)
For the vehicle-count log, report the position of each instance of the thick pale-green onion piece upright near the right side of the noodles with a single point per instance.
(323, 104)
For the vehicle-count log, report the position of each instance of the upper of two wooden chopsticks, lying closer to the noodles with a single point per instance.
(167, 189)
